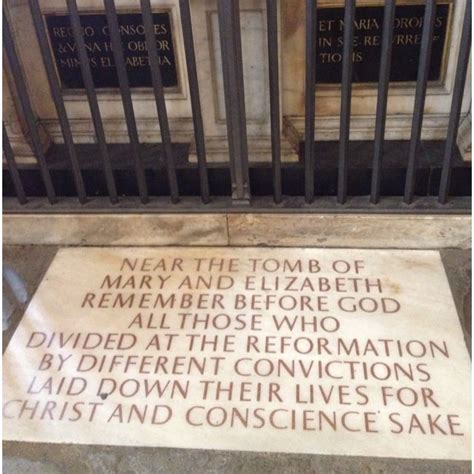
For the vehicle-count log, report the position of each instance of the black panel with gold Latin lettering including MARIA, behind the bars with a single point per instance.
(368, 28)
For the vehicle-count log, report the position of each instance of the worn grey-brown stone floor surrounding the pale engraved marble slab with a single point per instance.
(31, 262)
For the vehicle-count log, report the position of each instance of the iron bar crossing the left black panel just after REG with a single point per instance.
(91, 97)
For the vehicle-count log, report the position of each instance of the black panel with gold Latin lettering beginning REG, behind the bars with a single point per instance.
(99, 49)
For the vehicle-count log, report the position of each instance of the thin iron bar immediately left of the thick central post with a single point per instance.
(186, 24)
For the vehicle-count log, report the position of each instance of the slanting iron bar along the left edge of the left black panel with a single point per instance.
(55, 89)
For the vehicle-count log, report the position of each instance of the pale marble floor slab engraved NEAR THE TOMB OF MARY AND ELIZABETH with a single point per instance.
(343, 352)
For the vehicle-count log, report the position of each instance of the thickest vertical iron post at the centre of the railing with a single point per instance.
(231, 52)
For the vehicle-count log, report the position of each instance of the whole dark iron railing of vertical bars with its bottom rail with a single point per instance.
(239, 168)
